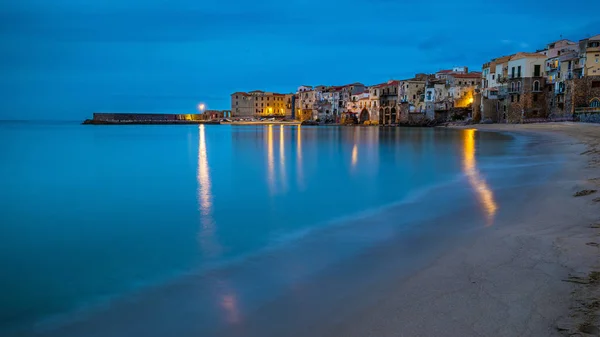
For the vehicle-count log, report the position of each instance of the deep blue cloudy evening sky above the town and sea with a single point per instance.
(65, 59)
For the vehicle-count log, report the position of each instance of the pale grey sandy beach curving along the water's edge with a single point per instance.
(535, 275)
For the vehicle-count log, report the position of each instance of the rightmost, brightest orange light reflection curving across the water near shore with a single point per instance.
(479, 185)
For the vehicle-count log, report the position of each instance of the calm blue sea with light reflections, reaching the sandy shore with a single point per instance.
(195, 229)
